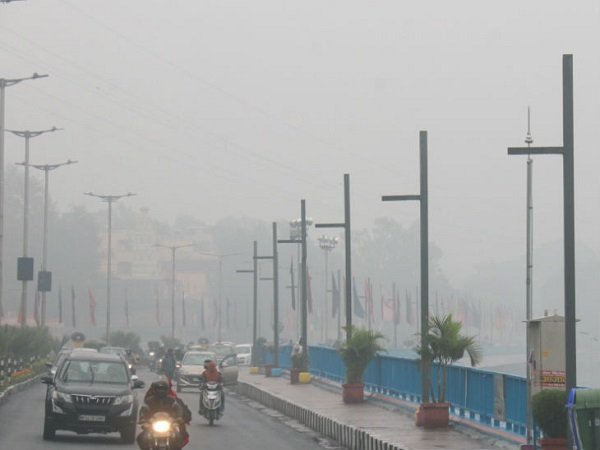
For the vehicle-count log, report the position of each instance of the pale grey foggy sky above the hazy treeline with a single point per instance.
(241, 108)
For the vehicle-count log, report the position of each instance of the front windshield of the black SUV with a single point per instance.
(94, 372)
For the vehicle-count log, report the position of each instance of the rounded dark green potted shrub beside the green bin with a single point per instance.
(548, 408)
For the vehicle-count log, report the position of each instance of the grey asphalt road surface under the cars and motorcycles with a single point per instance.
(245, 425)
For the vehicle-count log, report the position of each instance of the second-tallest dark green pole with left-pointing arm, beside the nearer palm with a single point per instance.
(423, 200)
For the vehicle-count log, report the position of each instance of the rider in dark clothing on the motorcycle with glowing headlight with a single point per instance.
(157, 399)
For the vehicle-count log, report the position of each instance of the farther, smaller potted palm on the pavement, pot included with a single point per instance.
(356, 353)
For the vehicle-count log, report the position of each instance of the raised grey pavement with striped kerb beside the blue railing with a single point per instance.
(378, 423)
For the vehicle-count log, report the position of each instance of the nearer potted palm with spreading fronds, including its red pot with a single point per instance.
(442, 345)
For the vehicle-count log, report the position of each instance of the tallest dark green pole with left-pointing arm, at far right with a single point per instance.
(567, 151)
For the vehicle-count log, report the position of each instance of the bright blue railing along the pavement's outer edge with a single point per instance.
(494, 399)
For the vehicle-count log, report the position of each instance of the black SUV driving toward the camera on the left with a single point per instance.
(91, 393)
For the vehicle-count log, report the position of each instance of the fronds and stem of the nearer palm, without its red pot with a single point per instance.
(443, 345)
